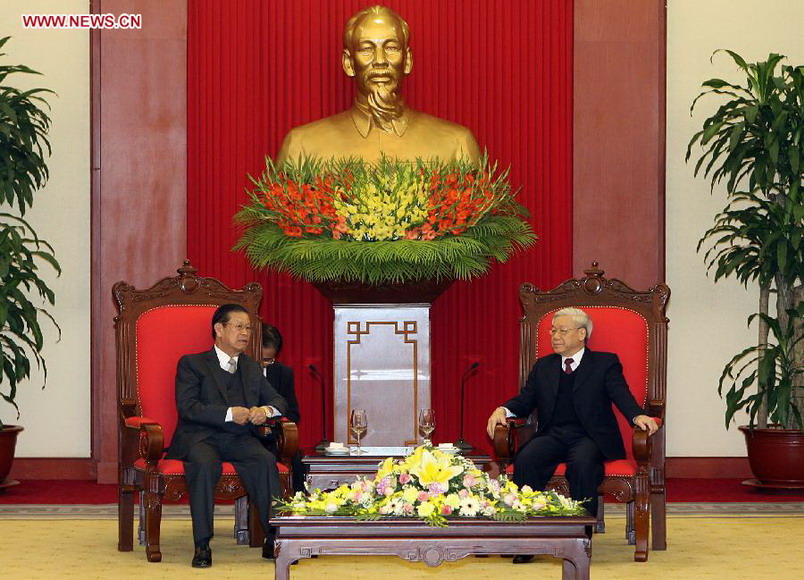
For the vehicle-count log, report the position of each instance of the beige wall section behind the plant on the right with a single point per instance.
(708, 321)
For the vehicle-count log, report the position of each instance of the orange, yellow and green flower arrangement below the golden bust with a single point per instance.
(385, 222)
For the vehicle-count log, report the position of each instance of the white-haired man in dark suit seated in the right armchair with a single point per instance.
(573, 390)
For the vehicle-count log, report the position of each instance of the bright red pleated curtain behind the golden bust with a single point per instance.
(501, 67)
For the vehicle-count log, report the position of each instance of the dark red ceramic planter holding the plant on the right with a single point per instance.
(776, 456)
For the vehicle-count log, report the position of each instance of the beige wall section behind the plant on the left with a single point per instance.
(57, 420)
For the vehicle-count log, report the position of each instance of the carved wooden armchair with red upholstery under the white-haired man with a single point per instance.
(633, 325)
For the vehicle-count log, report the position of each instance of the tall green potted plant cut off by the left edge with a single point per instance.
(24, 124)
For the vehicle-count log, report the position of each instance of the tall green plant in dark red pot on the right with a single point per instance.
(753, 143)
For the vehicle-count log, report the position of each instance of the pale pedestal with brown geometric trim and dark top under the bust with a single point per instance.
(382, 359)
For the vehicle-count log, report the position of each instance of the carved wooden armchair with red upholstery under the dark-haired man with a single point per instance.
(154, 328)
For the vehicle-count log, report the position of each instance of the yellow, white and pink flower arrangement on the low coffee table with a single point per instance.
(433, 486)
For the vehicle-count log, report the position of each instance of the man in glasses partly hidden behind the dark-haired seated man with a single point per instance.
(281, 378)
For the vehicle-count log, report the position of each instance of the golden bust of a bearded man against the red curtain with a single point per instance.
(376, 54)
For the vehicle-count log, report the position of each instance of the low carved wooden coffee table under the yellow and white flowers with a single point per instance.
(566, 537)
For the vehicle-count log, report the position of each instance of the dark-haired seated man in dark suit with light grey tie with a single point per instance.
(221, 397)
